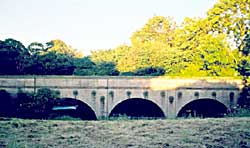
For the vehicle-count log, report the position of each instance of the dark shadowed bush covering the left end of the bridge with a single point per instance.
(27, 104)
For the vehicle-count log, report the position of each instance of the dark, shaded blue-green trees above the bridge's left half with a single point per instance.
(54, 58)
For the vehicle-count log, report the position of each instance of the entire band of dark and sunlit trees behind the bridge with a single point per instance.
(217, 45)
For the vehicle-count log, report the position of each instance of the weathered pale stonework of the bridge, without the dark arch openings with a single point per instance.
(159, 89)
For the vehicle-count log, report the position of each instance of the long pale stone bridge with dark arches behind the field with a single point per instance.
(106, 96)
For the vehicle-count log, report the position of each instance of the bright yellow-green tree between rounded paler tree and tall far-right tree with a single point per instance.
(205, 54)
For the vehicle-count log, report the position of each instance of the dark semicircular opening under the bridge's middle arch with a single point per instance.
(137, 107)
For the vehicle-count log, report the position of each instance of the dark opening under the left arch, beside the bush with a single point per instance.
(82, 110)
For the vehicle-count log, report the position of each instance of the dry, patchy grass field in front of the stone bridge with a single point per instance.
(204, 133)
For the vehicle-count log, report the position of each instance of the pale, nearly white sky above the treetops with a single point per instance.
(89, 24)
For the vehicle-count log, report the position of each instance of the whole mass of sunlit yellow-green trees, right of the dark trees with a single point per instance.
(210, 46)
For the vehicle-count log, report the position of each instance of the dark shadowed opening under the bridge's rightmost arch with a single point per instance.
(203, 108)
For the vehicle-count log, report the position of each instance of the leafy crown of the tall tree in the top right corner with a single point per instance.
(231, 17)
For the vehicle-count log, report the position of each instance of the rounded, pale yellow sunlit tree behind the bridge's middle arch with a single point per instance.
(149, 45)
